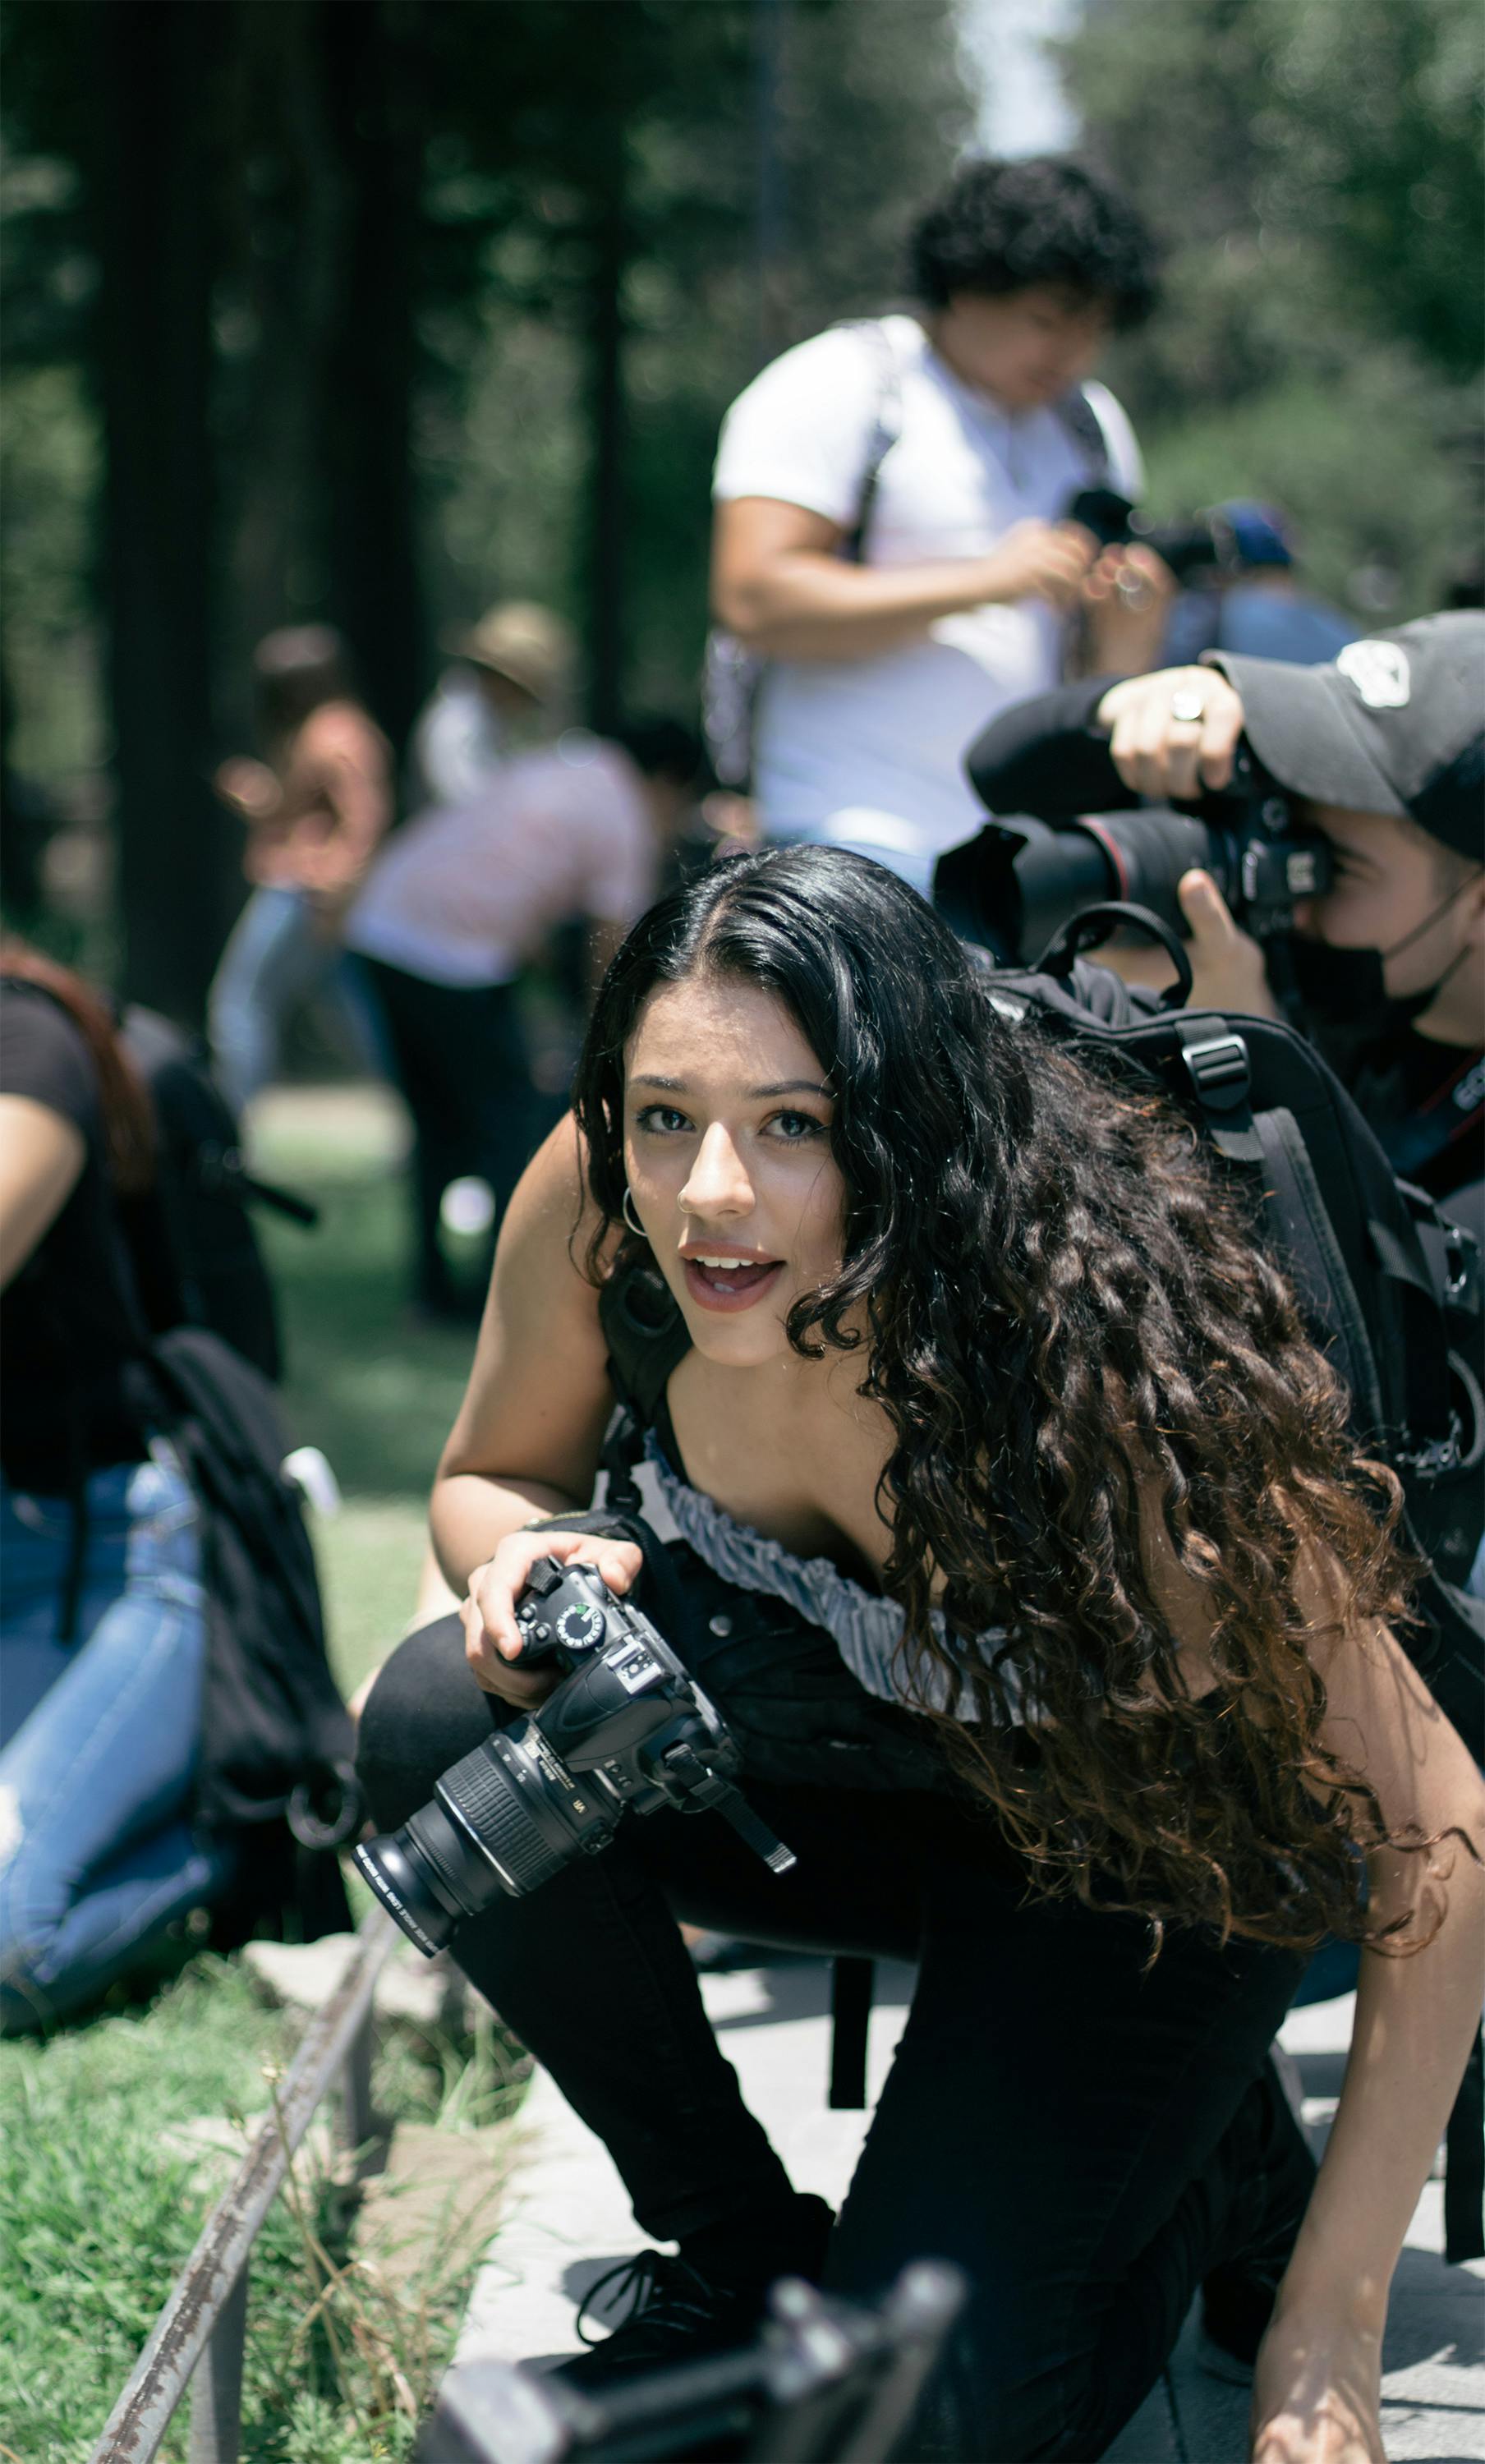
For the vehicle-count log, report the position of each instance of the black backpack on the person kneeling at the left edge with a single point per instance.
(193, 1241)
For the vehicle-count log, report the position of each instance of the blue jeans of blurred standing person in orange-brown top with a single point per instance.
(275, 965)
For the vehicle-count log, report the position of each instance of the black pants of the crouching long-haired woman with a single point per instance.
(1082, 2133)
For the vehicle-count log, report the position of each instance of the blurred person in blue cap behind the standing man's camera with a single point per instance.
(1252, 602)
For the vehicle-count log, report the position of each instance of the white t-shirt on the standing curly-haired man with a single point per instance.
(846, 743)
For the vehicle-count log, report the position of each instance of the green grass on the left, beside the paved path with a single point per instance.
(100, 2199)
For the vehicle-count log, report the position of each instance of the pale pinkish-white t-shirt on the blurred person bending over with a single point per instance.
(464, 893)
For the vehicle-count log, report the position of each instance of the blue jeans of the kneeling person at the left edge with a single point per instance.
(97, 1854)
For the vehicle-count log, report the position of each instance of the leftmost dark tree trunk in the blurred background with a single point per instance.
(154, 188)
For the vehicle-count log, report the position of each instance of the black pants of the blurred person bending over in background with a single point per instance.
(464, 1071)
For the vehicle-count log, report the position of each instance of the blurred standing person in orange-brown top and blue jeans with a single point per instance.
(316, 807)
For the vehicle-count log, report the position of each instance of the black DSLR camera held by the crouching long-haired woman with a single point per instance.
(627, 1731)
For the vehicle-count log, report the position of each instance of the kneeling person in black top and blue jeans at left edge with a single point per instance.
(102, 1608)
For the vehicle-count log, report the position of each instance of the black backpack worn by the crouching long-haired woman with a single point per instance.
(1390, 1287)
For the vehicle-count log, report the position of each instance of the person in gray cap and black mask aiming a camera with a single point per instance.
(1383, 750)
